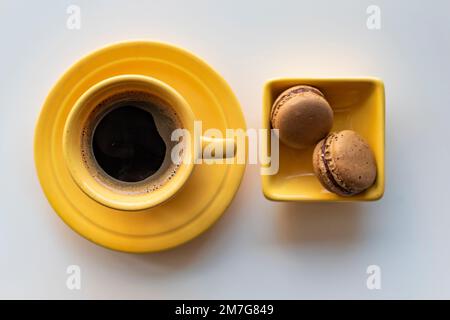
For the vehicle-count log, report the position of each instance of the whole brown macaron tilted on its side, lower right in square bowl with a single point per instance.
(344, 163)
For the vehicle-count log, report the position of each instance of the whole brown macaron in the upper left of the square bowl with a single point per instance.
(302, 115)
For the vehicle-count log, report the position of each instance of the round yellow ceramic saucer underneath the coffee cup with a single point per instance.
(206, 194)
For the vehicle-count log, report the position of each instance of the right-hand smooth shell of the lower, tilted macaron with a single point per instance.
(351, 161)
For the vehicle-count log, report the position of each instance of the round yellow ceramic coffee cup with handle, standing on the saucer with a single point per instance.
(170, 112)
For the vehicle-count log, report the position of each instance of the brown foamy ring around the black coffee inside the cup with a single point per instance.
(166, 120)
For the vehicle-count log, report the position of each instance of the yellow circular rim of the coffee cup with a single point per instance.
(83, 178)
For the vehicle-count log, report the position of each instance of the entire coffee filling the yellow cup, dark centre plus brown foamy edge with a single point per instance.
(126, 143)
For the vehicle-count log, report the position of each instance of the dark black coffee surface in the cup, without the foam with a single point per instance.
(126, 144)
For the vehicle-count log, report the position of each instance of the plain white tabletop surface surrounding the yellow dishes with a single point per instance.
(258, 249)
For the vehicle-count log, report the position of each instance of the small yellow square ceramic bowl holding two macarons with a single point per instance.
(358, 104)
